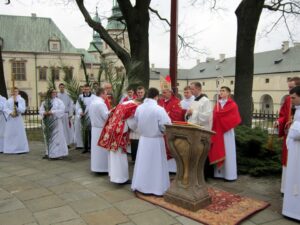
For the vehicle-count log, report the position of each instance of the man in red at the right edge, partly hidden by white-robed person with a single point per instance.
(283, 123)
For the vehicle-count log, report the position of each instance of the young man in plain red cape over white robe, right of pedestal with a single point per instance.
(223, 150)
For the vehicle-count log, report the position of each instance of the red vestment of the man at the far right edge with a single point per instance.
(284, 120)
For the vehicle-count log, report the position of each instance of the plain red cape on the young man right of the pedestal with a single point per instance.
(224, 119)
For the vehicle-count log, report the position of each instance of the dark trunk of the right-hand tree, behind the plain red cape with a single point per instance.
(248, 15)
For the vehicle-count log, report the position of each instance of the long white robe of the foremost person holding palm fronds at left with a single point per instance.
(58, 146)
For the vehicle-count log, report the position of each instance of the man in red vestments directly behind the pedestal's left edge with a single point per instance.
(173, 108)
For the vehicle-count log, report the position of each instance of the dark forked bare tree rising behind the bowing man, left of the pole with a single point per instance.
(136, 18)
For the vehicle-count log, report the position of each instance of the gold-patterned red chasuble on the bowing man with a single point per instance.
(112, 136)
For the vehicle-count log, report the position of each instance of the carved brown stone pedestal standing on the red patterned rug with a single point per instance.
(189, 146)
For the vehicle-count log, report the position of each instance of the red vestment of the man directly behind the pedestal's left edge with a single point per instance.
(175, 112)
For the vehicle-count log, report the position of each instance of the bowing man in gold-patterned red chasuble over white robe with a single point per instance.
(115, 138)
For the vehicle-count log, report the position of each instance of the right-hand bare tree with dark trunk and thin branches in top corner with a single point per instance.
(248, 15)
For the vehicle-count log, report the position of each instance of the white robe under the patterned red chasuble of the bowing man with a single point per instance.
(118, 162)
